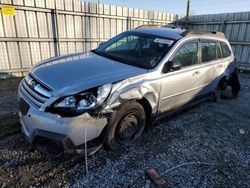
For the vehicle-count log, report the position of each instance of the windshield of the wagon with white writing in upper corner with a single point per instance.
(136, 49)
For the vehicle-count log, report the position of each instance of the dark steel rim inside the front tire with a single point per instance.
(128, 128)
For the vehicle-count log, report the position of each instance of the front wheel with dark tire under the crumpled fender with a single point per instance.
(128, 124)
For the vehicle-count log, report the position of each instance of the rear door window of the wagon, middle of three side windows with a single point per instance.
(209, 51)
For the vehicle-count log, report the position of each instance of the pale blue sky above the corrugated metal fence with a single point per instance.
(197, 7)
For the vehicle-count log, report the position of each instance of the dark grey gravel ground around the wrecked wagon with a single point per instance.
(211, 140)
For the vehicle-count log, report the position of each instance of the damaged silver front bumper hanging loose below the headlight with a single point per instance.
(54, 134)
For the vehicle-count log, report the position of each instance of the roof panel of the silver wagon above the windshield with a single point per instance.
(170, 33)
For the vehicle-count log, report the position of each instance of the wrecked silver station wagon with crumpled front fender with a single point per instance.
(80, 102)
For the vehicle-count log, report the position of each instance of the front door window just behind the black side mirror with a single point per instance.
(187, 55)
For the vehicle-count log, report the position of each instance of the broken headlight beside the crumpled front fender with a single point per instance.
(80, 103)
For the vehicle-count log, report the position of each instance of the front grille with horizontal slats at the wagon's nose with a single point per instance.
(35, 92)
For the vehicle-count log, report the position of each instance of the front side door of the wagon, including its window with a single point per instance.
(181, 86)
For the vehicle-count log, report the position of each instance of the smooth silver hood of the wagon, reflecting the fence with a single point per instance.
(77, 72)
